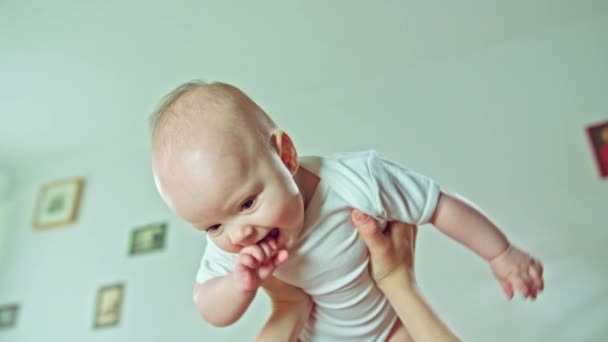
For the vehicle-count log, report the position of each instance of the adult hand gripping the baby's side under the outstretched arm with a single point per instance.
(389, 249)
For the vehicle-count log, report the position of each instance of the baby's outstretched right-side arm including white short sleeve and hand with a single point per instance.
(407, 196)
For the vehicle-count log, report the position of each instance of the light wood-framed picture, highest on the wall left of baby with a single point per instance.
(58, 203)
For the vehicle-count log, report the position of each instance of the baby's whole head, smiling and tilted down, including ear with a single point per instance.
(221, 164)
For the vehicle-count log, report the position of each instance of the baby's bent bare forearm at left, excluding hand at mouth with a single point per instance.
(221, 301)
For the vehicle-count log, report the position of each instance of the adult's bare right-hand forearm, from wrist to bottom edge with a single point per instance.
(415, 314)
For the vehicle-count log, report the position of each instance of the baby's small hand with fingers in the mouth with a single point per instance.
(256, 262)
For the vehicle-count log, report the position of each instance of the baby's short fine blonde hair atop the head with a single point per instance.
(219, 101)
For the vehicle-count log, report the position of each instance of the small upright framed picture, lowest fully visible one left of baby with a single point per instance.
(109, 304)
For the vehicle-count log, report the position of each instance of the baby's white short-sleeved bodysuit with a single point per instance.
(329, 261)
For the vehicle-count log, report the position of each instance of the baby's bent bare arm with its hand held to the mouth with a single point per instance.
(223, 300)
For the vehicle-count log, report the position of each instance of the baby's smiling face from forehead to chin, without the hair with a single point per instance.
(237, 194)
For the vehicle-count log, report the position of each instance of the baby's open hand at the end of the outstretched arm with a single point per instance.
(516, 269)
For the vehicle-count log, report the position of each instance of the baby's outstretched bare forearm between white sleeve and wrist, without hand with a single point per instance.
(466, 224)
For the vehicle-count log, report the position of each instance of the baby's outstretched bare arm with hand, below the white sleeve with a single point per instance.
(512, 267)
